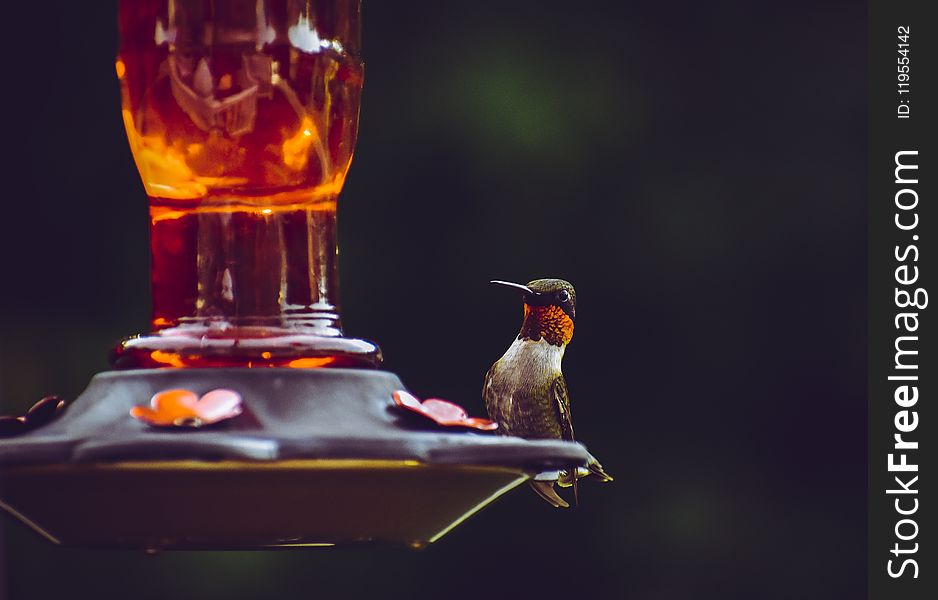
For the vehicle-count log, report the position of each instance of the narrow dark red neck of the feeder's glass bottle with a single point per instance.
(245, 267)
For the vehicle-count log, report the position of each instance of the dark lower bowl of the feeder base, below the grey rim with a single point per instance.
(186, 505)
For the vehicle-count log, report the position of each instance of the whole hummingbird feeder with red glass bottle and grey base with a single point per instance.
(266, 426)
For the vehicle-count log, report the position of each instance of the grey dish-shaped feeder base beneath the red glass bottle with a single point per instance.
(317, 456)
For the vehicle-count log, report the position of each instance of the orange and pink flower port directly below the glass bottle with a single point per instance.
(184, 408)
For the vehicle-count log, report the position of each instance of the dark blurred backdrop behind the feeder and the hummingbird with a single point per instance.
(696, 169)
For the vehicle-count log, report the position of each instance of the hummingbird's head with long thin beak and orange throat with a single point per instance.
(549, 310)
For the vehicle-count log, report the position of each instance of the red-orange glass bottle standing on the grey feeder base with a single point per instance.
(242, 118)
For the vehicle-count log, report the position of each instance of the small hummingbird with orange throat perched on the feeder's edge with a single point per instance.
(525, 392)
